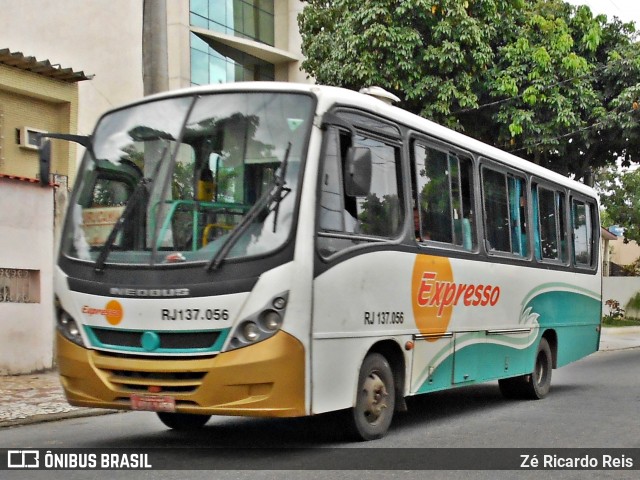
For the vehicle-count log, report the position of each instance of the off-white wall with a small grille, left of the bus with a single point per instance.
(26, 243)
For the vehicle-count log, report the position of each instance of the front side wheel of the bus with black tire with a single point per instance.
(375, 400)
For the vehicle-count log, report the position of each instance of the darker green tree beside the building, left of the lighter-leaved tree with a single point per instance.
(430, 53)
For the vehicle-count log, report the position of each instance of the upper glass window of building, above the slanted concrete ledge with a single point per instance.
(252, 19)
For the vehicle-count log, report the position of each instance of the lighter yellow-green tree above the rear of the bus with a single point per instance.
(568, 81)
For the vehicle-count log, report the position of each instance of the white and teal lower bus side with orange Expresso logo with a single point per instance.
(470, 321)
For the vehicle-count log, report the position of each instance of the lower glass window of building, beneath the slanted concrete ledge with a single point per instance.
(212, 62)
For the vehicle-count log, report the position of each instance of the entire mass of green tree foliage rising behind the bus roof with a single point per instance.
(544, 79)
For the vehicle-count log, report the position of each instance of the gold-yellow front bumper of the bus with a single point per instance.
(265, 379)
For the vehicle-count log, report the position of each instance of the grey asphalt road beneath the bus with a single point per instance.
(594, 404)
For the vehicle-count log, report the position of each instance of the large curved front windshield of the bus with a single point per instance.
(170, 180)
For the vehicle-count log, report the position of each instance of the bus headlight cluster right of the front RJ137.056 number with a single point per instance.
(260, 326)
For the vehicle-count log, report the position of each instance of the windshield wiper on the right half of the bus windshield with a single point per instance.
(266, 200)
